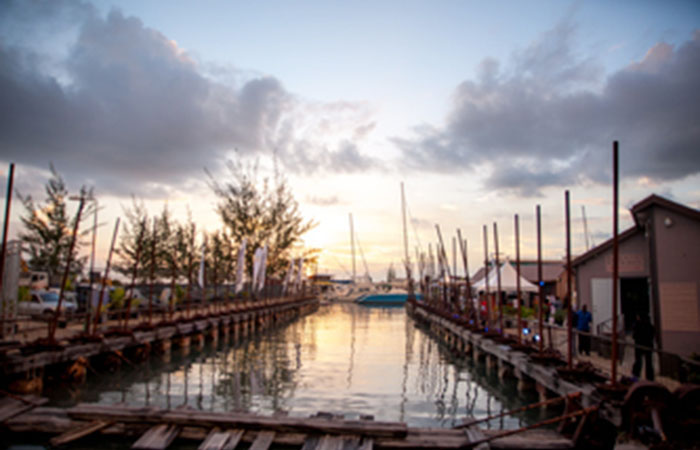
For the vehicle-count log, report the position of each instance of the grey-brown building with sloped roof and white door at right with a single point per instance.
(659, 275)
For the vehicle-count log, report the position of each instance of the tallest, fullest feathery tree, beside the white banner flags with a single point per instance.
(265, 214)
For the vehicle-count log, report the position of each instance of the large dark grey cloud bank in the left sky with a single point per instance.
(122, 104)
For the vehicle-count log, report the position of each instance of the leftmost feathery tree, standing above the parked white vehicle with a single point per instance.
(48, 230)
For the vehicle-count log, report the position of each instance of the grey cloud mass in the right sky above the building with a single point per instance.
(548, 118)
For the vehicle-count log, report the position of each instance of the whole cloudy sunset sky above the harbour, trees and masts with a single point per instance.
(482, 109)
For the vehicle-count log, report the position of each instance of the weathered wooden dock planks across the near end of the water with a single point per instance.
(155, 428)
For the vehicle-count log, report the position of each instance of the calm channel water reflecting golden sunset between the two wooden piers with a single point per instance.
(344, 359)
